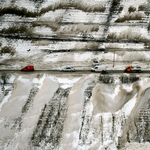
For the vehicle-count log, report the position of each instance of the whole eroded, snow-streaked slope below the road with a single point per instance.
(86, 113)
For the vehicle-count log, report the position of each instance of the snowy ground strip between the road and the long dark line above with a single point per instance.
(41, 57)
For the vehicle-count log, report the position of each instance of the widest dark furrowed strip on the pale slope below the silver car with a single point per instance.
(50, 125)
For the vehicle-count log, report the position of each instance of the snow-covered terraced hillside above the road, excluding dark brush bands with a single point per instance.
(79, 23)
